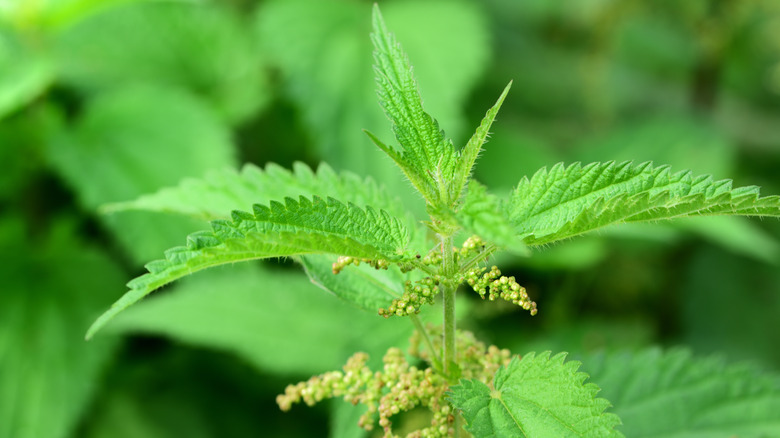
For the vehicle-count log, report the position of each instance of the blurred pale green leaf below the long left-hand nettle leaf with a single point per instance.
(275, 319)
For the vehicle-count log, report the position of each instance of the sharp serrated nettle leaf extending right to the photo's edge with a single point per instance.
(566, 201)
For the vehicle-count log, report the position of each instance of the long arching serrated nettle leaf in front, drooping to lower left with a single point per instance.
(278, 230)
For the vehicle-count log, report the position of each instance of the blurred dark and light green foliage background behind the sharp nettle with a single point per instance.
(102, 101)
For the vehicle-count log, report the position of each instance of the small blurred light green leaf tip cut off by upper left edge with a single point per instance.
(24, 74)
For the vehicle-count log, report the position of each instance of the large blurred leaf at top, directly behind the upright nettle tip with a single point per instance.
(322, 49)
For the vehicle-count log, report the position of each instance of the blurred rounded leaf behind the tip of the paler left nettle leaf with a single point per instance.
(136, 141)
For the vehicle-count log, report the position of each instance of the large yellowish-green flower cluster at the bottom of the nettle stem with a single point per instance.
(400, 386)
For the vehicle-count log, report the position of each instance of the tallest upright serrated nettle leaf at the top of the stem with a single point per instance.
(428, 158)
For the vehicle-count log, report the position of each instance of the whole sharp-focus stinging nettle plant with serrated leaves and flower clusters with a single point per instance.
(329, 222)
